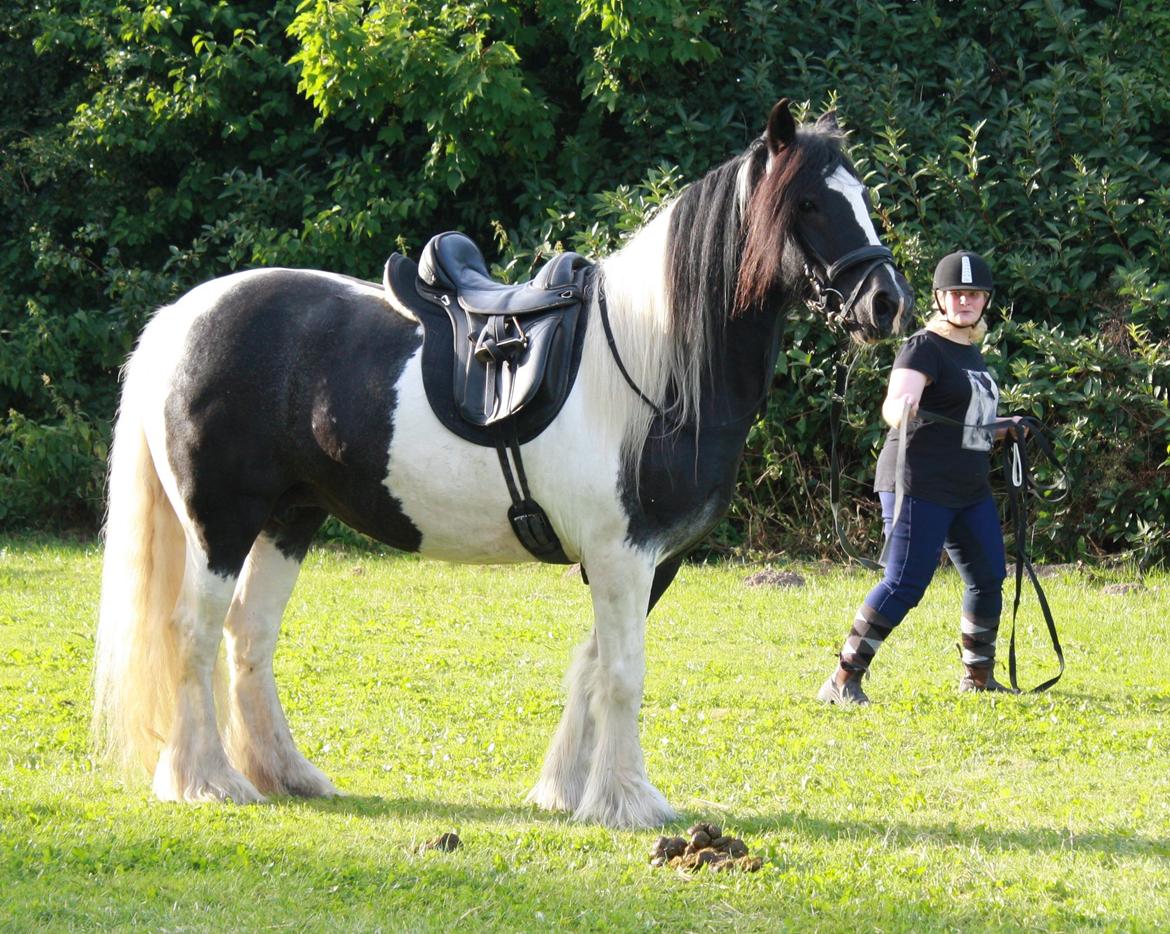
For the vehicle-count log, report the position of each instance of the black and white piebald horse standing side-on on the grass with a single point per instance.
(263, 402)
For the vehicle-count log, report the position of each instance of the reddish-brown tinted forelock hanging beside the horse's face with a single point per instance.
(770, 214)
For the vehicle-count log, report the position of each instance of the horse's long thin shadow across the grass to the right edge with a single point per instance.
(759, 829)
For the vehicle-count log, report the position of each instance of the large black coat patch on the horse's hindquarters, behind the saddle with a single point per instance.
(283, 411)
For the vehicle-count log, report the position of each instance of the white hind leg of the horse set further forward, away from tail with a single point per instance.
(259, 740)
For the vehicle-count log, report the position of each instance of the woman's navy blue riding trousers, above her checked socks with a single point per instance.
(974, 540)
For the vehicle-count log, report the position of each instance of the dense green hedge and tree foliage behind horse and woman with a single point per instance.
(147, 148)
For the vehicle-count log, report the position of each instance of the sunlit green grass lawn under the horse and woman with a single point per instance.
(429, 692)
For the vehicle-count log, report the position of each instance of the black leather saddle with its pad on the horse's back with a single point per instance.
(498, 360)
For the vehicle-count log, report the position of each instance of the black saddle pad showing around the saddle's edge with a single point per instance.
(441, 363)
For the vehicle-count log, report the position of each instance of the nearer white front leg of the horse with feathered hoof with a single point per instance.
(617, 792)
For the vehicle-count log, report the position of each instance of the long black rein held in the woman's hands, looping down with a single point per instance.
(1020, 483)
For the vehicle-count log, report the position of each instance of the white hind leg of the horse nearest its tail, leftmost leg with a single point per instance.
(192, 765)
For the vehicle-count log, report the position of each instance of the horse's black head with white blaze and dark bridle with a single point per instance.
(808, 231)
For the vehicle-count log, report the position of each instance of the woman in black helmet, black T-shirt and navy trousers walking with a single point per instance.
(947, 493)
